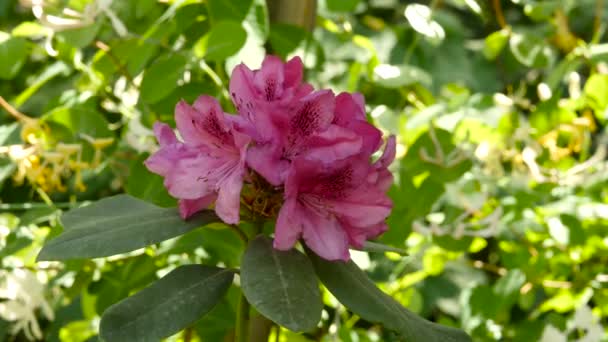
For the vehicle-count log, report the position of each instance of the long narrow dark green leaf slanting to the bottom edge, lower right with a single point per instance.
(356, 291)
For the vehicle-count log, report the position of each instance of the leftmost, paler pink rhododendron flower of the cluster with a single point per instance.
(209, 165)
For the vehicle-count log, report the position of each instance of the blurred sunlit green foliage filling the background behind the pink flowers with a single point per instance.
(500, 108)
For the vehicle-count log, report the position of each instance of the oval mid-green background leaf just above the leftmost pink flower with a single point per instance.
(161, 78)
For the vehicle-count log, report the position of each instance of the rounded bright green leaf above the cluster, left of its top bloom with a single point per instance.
(223, 40)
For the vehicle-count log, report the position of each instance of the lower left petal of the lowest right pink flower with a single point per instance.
(288, 230)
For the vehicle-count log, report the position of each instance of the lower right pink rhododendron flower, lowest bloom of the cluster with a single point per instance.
(334, 206)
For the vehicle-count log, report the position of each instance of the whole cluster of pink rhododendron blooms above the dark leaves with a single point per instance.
(314, 145)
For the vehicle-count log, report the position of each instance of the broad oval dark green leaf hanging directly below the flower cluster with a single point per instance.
(281, 285)
